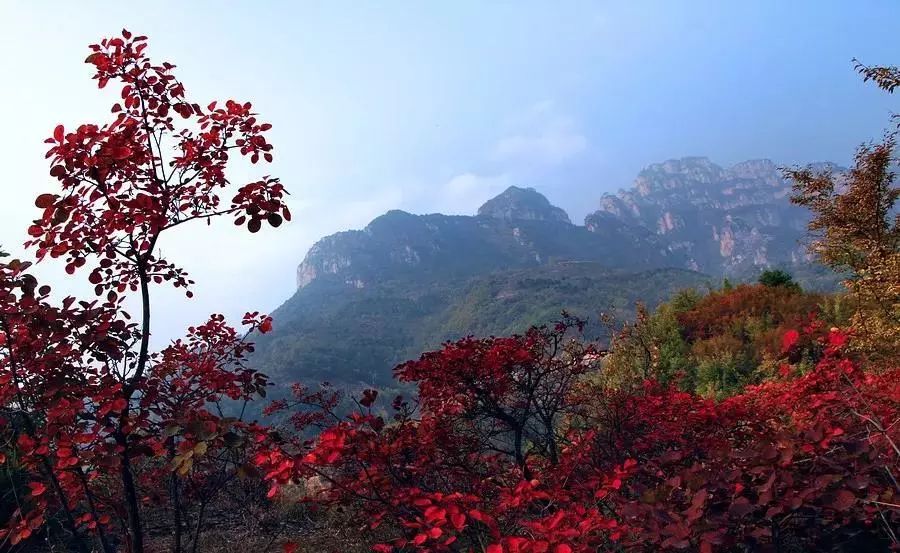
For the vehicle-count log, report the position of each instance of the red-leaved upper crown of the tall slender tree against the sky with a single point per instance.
(118, 191)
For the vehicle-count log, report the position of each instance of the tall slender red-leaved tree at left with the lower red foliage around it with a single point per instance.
(97, 419)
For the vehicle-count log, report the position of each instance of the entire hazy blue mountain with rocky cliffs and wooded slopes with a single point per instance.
(369, 299)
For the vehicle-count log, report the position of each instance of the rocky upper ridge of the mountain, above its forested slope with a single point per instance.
(688, 212)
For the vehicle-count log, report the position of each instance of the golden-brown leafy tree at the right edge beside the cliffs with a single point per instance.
(856, 229)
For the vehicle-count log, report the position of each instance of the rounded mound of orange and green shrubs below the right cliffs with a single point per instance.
(718, 343)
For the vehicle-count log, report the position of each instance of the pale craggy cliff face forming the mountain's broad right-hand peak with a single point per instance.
(731, 221)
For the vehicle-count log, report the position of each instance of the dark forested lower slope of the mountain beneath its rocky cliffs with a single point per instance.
(354, 336)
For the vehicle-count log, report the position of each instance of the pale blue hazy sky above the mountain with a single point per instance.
(438, 106)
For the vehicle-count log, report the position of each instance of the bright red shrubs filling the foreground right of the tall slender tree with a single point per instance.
(807, 459)
